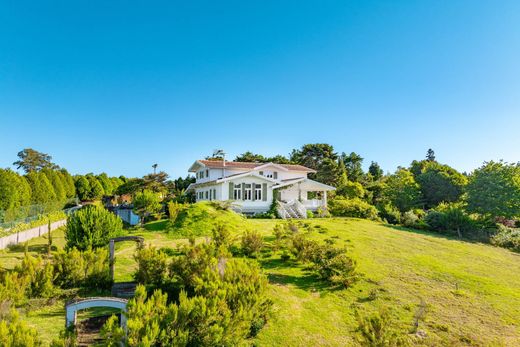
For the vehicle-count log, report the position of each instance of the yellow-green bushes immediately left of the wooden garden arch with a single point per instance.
(87, 269)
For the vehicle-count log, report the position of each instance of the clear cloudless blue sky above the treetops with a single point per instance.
(116, 86)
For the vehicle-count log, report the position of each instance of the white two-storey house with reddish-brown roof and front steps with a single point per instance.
(252, 186)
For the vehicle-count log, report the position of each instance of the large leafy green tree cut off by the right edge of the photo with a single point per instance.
(494, 190)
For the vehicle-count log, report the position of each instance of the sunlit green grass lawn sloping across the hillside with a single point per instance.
(471, 292)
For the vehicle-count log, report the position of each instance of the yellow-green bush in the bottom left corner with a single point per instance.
(16, 333)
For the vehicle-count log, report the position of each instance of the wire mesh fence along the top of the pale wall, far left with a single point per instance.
(27, 214)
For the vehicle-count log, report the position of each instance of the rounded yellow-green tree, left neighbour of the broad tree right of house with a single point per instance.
(402, 190)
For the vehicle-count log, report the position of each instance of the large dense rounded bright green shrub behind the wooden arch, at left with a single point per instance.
(91, 227)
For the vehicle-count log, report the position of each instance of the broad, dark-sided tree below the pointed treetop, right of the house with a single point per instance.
(440, 183)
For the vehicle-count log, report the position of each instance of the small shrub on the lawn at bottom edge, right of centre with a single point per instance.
(378, 330)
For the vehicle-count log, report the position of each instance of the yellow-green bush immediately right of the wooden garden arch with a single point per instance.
(152, 266)
